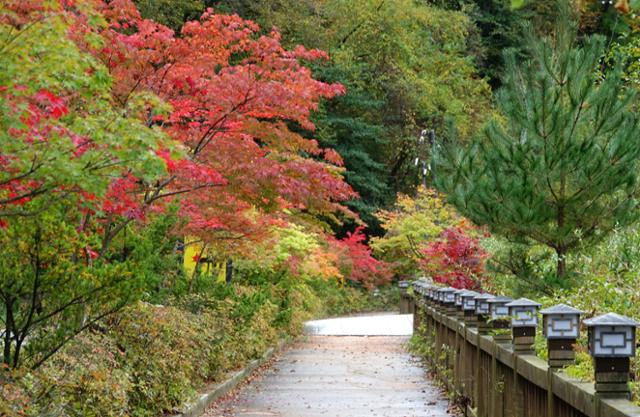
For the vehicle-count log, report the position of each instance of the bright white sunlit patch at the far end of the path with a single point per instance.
(372, 325)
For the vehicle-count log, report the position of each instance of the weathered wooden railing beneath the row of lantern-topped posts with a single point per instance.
(490, 376)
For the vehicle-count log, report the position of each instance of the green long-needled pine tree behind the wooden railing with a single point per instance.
(561, 169)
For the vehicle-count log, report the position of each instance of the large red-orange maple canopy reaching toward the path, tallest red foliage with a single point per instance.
(235, 96)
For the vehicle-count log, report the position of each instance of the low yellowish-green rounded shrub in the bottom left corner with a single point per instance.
(85, 378)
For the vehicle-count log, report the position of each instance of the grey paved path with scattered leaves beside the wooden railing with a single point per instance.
(341, 376)
